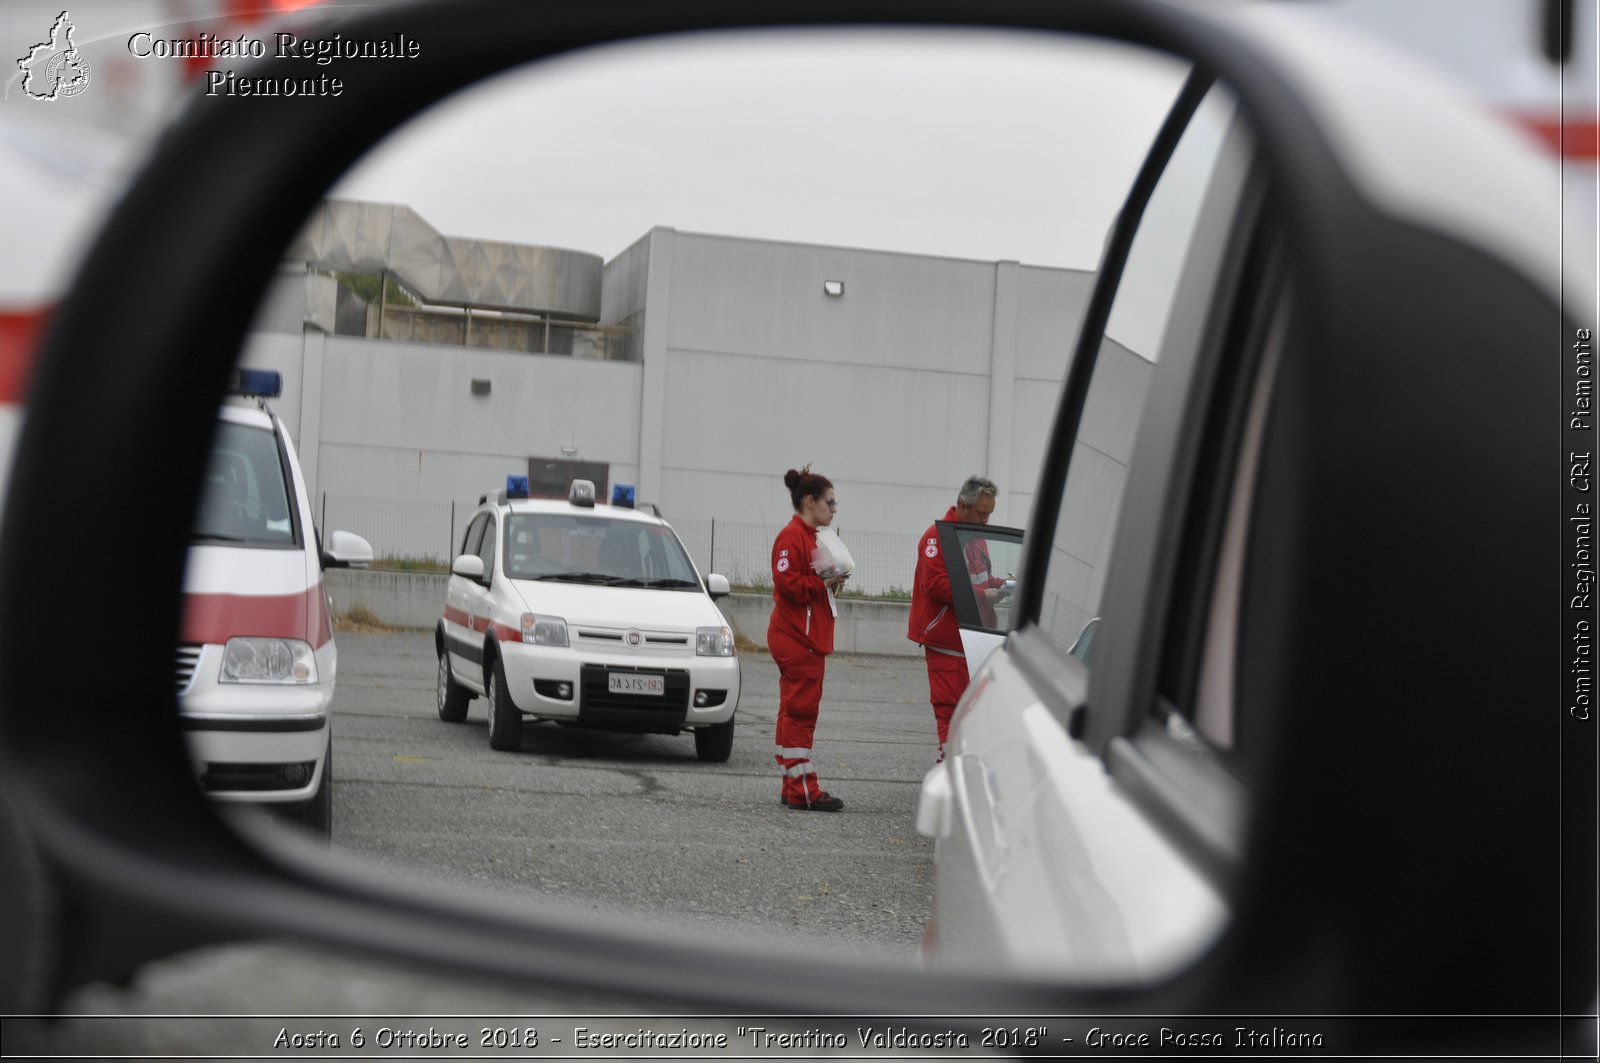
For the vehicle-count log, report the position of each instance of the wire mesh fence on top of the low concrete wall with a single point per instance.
(430, 534)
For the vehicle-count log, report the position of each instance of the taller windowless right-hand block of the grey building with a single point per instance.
(924, 372)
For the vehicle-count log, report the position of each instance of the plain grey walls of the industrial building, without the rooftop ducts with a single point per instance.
(924, 372)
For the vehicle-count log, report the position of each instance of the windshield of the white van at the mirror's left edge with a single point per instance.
(246, 497)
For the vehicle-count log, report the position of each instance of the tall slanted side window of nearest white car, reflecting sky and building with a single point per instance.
(1132, 347)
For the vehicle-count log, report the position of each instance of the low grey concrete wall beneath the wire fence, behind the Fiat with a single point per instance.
(409, 600)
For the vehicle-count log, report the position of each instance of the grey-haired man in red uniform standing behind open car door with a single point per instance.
(934, 611)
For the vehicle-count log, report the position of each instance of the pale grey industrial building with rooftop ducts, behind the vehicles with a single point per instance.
(695, 367)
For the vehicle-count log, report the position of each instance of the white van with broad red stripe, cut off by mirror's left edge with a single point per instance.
(257, 659)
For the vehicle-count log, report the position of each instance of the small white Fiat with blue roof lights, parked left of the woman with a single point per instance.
(647, 636)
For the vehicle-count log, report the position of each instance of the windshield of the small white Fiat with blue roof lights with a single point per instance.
(596, 550)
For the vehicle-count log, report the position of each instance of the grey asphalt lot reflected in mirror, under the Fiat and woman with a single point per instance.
(636, 824)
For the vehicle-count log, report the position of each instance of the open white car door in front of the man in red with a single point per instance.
(982, 563)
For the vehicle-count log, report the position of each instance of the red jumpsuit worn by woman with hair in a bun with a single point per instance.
(799, 636)
